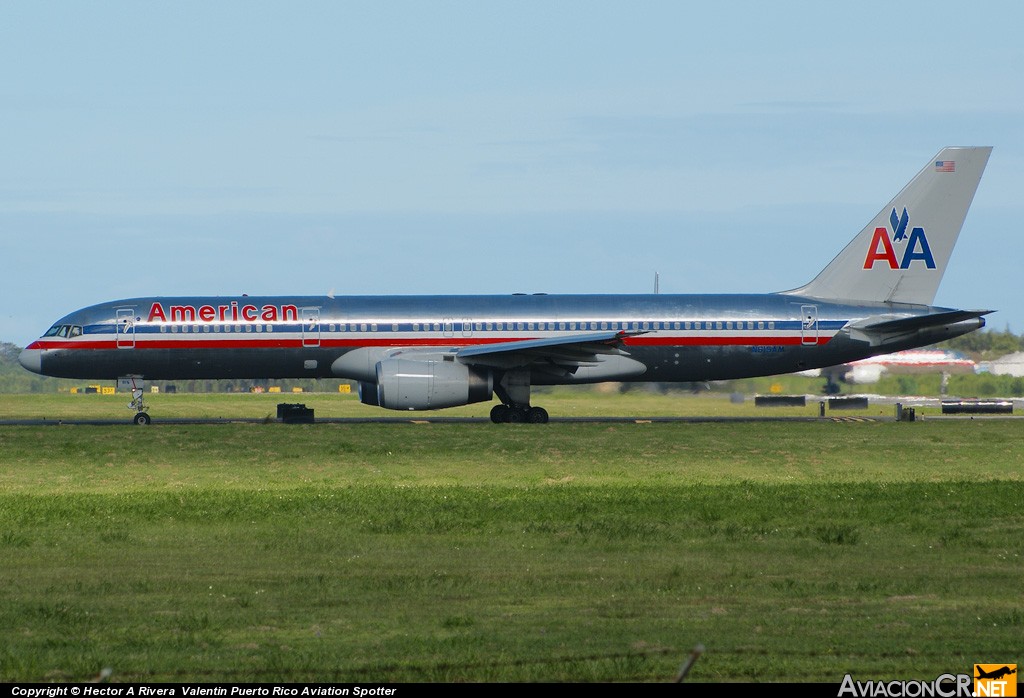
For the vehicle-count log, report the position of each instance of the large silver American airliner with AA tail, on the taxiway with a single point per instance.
(432, 353)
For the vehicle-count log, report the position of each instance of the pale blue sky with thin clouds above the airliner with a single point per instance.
(229, 148)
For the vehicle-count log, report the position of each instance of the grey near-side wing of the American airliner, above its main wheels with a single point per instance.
(568, 353)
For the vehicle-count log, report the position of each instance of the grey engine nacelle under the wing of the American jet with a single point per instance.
(412, 384)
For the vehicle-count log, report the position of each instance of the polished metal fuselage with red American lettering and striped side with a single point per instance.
(681, 337)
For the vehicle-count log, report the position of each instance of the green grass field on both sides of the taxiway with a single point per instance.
(484, 553)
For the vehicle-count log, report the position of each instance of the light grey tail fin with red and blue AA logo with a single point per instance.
(901, 256)
